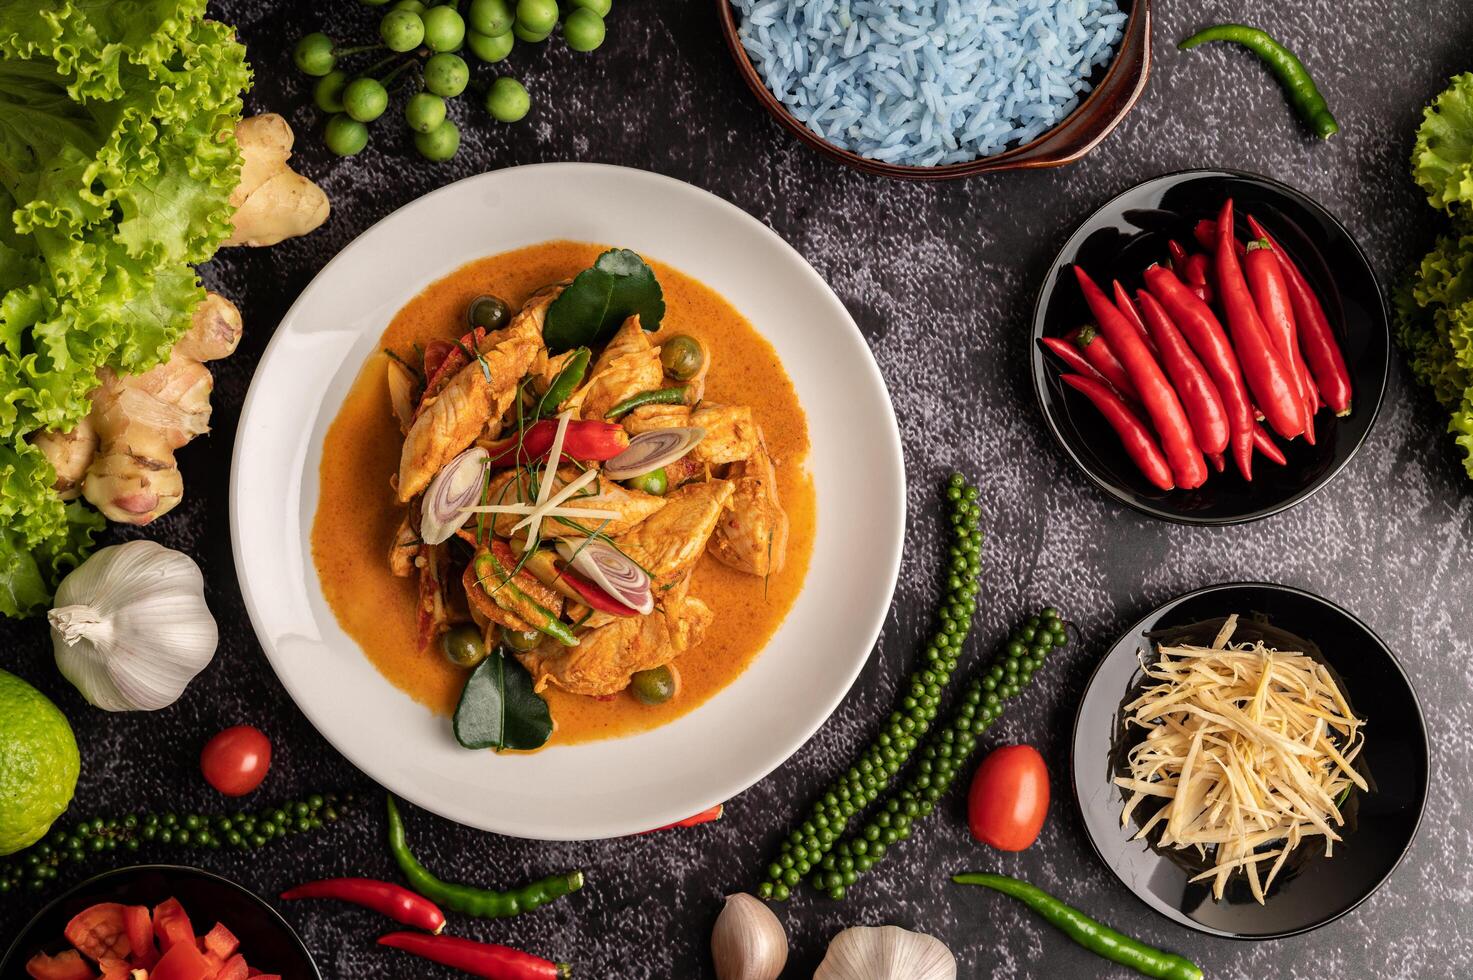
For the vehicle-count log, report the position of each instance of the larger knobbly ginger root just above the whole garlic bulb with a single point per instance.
(122, 456)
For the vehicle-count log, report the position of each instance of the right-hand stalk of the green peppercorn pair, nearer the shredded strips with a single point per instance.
(945, 754)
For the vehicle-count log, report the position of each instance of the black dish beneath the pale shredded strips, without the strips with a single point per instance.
(1381, 825)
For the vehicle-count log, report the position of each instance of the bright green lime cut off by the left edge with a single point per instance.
(39, 764)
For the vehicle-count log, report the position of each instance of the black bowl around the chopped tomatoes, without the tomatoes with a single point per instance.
(266, 939)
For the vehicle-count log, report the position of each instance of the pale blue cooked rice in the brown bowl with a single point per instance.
(930, 82)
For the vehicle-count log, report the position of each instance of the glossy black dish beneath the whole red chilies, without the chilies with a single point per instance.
(1131, 234)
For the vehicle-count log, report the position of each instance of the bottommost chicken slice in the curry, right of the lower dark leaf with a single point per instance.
(606, 658)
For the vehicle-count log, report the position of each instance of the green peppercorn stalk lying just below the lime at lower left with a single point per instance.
(41, 864)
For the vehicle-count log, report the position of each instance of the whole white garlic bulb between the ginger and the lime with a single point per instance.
(130, 627)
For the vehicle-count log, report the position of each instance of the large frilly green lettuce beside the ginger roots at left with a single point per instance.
(117, 163)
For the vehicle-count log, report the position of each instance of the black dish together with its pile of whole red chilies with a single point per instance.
(1212, 347)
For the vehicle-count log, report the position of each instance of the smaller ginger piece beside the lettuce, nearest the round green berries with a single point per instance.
(273, 201)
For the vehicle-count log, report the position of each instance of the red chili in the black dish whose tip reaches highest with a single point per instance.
(1268, 375)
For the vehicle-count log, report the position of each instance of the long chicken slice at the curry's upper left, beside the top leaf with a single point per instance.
(478, 394)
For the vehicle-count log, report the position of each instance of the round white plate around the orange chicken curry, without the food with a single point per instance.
(619, 786)
